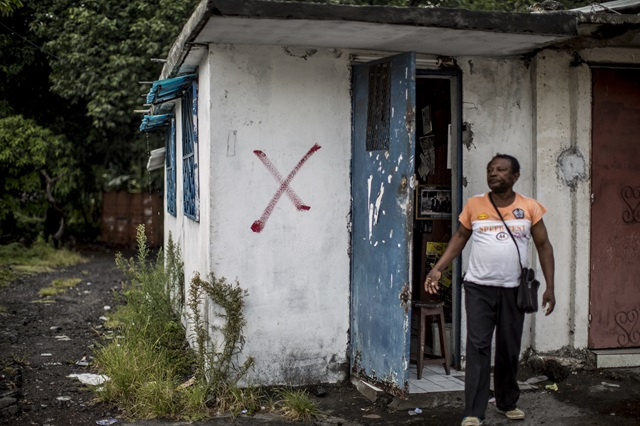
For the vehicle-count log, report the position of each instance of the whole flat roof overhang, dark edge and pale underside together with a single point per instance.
(429, 31)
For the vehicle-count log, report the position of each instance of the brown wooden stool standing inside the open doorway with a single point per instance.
(431, 309)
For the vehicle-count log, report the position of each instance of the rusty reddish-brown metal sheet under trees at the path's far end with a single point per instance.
(122, 212)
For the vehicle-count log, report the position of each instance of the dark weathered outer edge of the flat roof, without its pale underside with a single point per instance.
(564, 23)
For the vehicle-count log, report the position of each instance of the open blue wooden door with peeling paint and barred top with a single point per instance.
(382, 220)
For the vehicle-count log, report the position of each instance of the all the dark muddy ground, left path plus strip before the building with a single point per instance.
(42, 343)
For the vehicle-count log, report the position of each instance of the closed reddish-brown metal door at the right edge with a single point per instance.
(615, 210)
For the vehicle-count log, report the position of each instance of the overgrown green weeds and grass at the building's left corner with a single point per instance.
(153, 373)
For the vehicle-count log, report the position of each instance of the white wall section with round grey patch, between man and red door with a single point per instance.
(563, 138)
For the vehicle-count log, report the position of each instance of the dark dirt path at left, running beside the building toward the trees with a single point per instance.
(42, 342)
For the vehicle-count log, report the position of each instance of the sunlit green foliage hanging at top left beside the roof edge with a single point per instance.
(100, 51)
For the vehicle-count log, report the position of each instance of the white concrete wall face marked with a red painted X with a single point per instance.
(296, 269)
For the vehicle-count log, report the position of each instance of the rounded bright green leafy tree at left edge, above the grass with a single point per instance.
(37, 173)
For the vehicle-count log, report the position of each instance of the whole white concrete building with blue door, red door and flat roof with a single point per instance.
(322, 141)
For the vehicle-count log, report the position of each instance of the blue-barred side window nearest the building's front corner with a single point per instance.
(190, 152)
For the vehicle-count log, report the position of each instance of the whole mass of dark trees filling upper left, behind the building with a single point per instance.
(69, 72)
